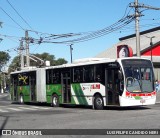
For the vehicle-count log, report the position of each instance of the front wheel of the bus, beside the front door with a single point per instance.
(98, 102)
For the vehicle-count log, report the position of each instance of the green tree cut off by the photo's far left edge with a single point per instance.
(4, 58)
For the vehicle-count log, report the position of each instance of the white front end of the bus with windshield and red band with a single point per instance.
(137, 82)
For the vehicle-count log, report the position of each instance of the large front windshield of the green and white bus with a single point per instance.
(139, 76)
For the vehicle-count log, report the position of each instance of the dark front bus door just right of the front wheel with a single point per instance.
(112, 86)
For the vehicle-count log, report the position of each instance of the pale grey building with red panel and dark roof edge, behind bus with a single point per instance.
(149, 46)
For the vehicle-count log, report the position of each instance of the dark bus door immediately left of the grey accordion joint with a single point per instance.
(32, 84)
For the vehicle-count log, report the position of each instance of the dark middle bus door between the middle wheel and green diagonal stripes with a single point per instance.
(66, 86)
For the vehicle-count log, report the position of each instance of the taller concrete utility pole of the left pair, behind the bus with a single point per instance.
(27, 49)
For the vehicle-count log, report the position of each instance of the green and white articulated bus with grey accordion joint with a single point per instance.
(94, 82)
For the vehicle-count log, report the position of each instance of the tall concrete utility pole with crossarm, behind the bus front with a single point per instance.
(137, 5)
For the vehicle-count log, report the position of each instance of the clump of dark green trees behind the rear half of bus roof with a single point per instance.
(44, 56)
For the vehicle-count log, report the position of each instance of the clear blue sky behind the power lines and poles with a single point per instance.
(46, 17)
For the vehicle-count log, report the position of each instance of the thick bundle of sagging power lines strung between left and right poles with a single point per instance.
(91, 34)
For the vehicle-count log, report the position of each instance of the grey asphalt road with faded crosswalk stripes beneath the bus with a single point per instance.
(15, 116)
